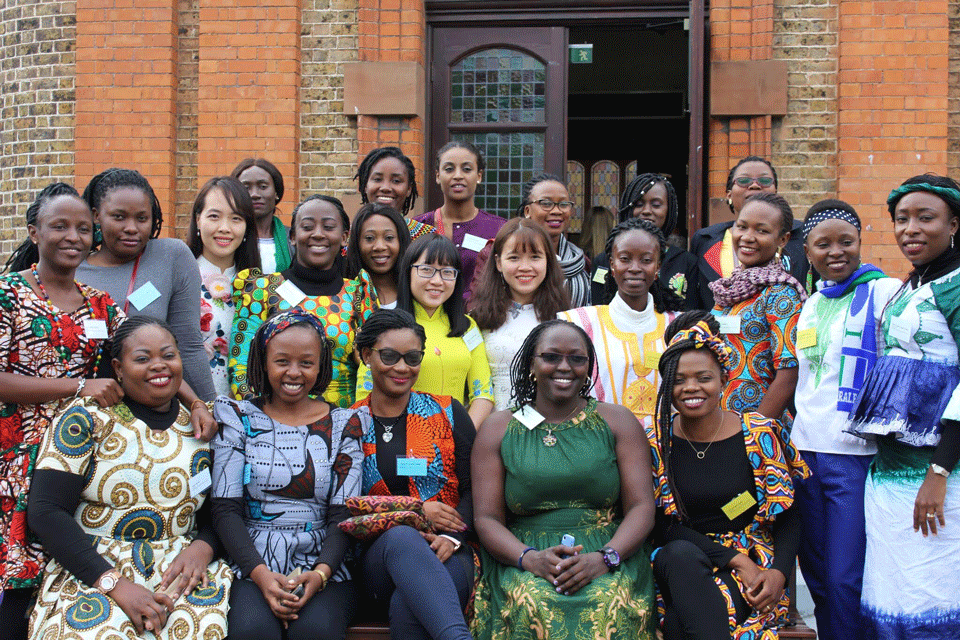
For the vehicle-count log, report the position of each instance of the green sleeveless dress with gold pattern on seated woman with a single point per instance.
(573, 487)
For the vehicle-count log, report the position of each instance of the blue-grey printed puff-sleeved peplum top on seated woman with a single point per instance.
(288, 477)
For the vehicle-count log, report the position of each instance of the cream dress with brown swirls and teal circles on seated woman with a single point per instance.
(138, 509)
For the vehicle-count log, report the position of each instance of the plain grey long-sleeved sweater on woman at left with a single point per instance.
(169, 265)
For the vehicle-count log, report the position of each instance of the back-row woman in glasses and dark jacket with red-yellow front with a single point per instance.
(713, 245)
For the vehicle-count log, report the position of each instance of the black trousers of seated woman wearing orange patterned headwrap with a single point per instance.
(695, 607)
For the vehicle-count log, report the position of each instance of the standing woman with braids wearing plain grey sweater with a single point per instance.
(144, 273)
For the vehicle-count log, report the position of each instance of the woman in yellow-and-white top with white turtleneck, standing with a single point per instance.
(628, 332)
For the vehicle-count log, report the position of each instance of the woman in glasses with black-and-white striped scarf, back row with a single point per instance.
(546, 201)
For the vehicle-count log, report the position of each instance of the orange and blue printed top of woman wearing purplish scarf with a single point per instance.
(766, 342)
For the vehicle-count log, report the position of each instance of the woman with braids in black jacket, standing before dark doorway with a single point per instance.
(651, 196)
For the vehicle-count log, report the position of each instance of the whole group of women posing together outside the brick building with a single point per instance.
(556, 468)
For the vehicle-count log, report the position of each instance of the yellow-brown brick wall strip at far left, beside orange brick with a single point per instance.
(37, 67)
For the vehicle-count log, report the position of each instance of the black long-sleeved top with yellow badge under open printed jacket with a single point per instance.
(706, 485)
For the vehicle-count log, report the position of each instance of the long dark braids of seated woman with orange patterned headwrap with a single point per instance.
(669, 361)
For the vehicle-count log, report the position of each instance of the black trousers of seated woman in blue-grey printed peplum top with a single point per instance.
(325, 617)
